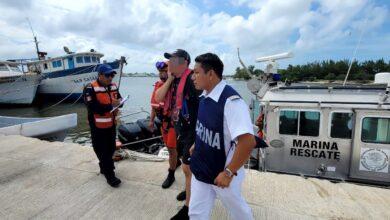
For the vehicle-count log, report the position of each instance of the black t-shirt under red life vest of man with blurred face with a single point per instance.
(187, 126)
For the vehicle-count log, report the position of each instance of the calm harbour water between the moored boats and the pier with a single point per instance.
(139, 89)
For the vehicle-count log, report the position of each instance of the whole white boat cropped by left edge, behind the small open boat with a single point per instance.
(16, 87)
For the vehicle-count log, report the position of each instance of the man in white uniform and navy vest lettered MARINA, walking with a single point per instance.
(224, 141)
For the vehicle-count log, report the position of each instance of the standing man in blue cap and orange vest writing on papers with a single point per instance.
(101, 97)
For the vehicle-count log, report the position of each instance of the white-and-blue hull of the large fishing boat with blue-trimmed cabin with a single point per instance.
(69, 84)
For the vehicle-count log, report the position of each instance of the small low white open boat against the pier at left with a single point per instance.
(51, 129)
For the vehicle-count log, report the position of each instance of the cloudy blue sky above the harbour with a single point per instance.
(313, 30)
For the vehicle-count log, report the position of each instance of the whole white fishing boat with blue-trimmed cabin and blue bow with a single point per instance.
(65, 76)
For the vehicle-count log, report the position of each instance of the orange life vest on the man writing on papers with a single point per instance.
(104, 96)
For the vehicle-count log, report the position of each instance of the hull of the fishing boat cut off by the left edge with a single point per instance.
(20, 90)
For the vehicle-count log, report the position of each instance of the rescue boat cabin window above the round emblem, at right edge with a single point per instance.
(376, 130)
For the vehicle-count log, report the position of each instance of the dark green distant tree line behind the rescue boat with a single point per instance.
(326, 70)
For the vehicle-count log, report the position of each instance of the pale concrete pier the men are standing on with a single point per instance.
(42, 180)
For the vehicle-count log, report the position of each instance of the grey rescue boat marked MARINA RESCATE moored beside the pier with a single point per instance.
(339, 132)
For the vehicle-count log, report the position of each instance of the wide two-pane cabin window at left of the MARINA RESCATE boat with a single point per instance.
(308, 121)
